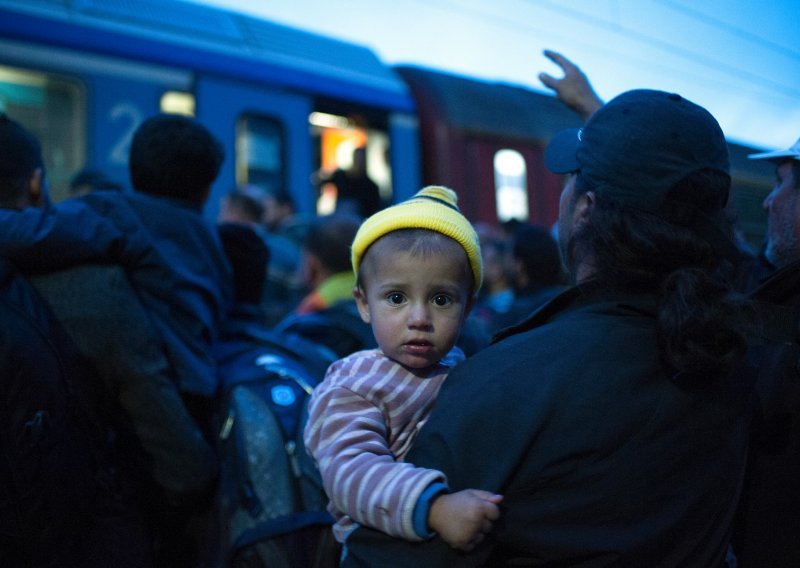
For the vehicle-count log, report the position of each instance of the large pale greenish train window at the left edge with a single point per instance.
(53, 109)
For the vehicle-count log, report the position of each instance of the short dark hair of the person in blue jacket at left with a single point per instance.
(174, 156)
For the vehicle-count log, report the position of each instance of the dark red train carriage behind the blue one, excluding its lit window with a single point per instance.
(466, 122)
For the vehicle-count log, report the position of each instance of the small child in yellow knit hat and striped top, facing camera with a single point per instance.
(418, 268)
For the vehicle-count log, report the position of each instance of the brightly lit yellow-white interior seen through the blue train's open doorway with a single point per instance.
(338, 137)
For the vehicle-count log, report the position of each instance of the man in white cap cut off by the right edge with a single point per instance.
(766, 528)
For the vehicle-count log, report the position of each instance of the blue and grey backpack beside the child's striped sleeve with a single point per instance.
(272, 503)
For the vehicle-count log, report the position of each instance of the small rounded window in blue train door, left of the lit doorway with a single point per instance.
(259, 152)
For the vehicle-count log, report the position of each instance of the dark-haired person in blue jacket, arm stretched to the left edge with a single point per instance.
(157, 233)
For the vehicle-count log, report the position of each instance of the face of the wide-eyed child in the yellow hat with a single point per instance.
(416, 305)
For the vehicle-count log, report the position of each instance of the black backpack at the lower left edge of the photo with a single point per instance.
(54, 464)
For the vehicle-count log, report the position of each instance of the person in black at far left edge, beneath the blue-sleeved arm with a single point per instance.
(67, 497)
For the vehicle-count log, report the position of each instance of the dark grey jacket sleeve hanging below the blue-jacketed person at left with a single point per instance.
(105, 319)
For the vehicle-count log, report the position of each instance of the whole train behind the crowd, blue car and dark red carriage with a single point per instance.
(289, 106)
